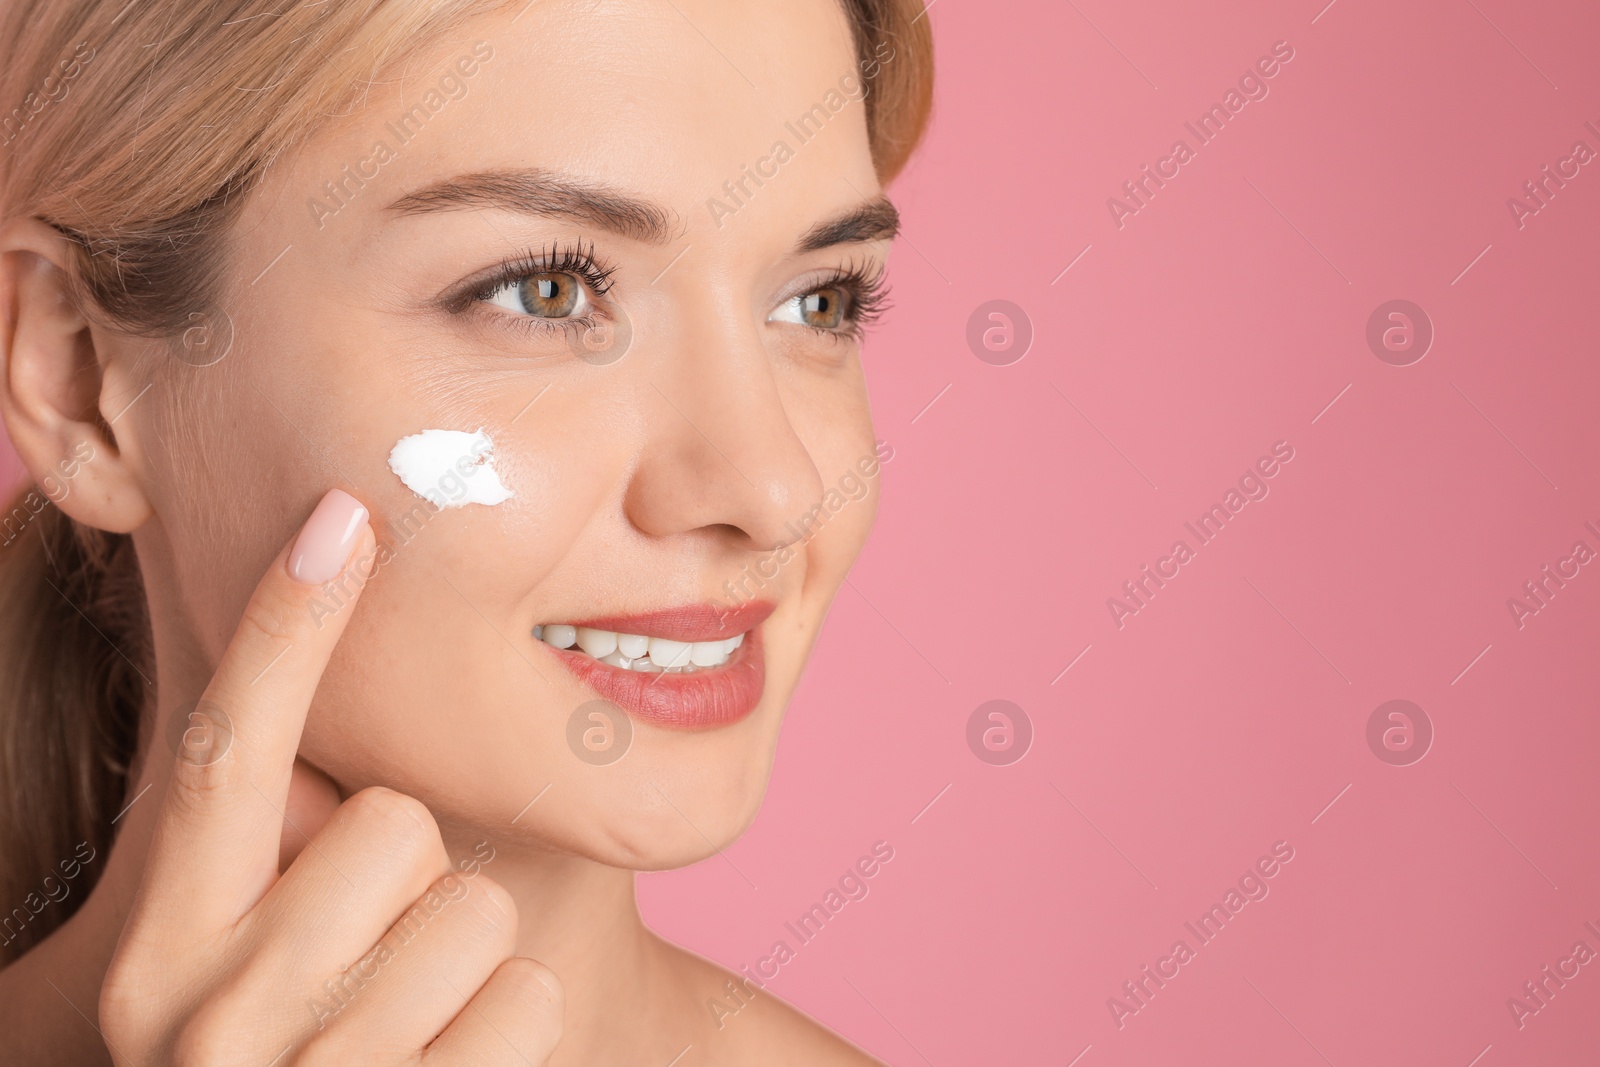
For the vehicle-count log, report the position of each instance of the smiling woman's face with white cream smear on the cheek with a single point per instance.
(668, 374)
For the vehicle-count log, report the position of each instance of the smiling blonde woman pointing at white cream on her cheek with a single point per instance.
(431, 410)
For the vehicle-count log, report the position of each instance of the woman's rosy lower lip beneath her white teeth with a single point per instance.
(697, 700)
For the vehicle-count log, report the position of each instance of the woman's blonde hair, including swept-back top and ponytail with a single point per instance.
(137, 130)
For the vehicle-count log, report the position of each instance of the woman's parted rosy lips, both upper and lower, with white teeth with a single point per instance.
(689, 668)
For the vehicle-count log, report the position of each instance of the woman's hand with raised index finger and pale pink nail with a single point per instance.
(370, 948)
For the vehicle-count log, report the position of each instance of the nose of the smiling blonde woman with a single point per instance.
(722, 449)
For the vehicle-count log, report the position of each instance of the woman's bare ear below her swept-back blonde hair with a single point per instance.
(62, 399)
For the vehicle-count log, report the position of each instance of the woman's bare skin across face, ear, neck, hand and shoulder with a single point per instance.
(434, 716)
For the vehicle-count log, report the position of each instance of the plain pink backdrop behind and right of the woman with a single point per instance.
(1233, 709)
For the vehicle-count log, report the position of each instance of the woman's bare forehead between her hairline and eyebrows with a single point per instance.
(666, 100)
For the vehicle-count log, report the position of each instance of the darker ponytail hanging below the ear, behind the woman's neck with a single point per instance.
(74, 673)
